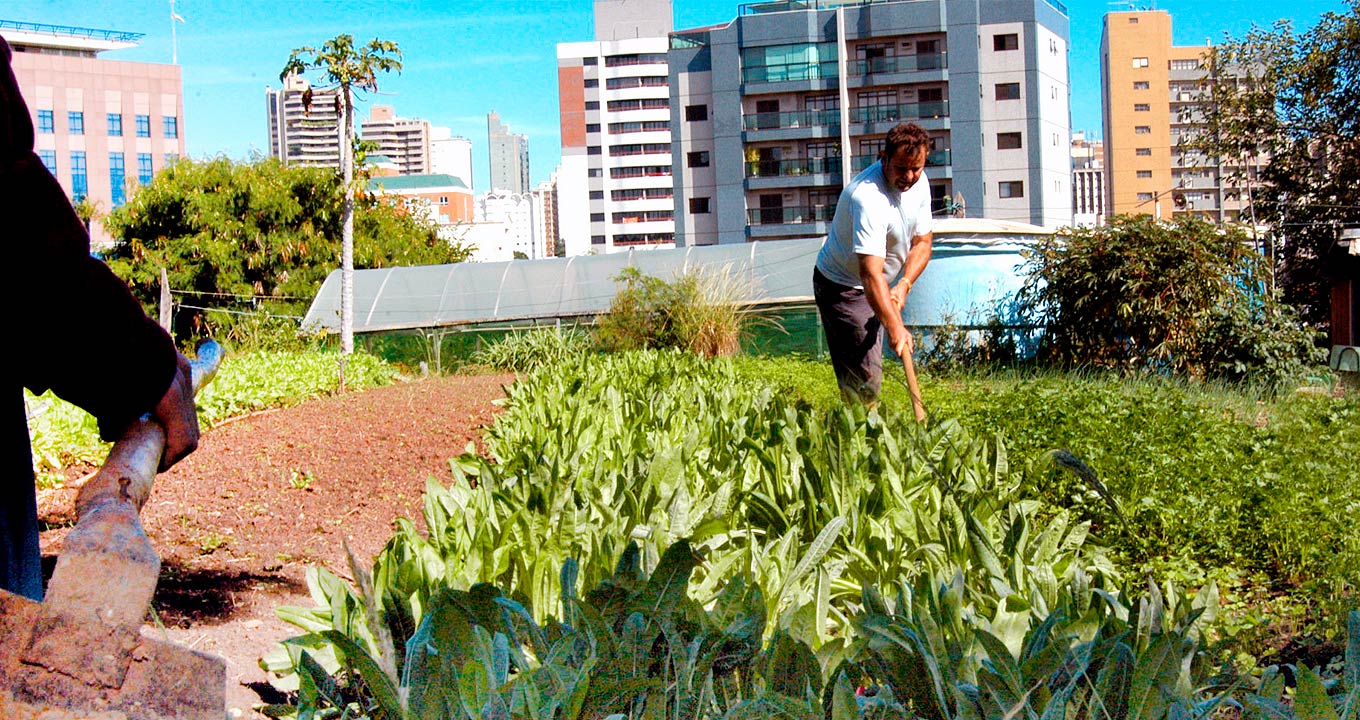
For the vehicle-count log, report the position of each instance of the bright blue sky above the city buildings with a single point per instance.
(467, 58)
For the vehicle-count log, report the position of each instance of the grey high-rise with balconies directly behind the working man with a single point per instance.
(776, 111)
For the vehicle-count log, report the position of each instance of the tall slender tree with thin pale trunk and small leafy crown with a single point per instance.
(350, 70)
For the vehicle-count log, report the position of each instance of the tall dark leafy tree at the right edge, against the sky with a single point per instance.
(1293, 100)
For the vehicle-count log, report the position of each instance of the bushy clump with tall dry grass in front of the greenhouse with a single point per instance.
(697, 312)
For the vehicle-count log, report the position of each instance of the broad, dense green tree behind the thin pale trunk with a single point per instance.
(256, 229)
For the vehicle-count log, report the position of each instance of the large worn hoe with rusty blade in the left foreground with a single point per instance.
(81, 654)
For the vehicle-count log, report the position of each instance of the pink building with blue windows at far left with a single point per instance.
(103, 127)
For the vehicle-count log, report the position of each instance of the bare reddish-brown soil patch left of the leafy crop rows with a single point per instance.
(239, 523)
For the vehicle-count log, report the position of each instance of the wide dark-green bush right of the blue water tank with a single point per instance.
(1143, 295)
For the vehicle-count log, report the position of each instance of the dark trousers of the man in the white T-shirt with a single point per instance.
(855, 337)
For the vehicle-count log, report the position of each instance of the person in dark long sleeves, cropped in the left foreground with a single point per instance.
(78, 333)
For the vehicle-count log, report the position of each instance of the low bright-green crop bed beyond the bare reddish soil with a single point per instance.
(63, 435)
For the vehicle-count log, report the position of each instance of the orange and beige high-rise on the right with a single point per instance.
(1154, 100)
